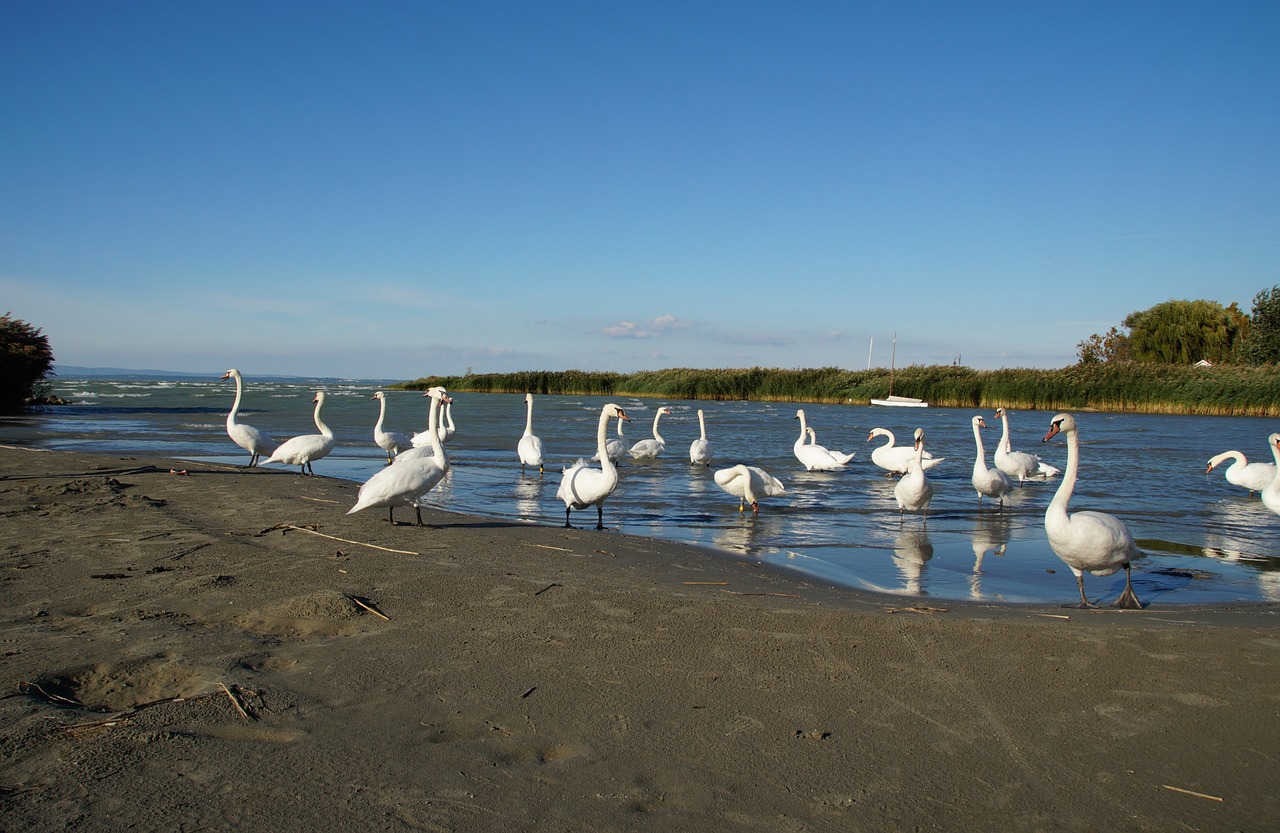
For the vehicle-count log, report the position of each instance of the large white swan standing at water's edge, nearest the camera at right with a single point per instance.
(1091, 542)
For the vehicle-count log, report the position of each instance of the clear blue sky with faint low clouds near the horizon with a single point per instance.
(392, 190)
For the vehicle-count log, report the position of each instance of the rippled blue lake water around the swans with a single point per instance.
(1208, 542)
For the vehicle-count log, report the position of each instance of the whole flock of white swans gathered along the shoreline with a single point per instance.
(1086, 542)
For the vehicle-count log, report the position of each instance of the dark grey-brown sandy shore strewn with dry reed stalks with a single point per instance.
(534, 679)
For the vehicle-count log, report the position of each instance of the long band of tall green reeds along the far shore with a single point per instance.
(1224, 391)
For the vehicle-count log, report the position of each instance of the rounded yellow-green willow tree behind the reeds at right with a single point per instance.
(1185, 332)
